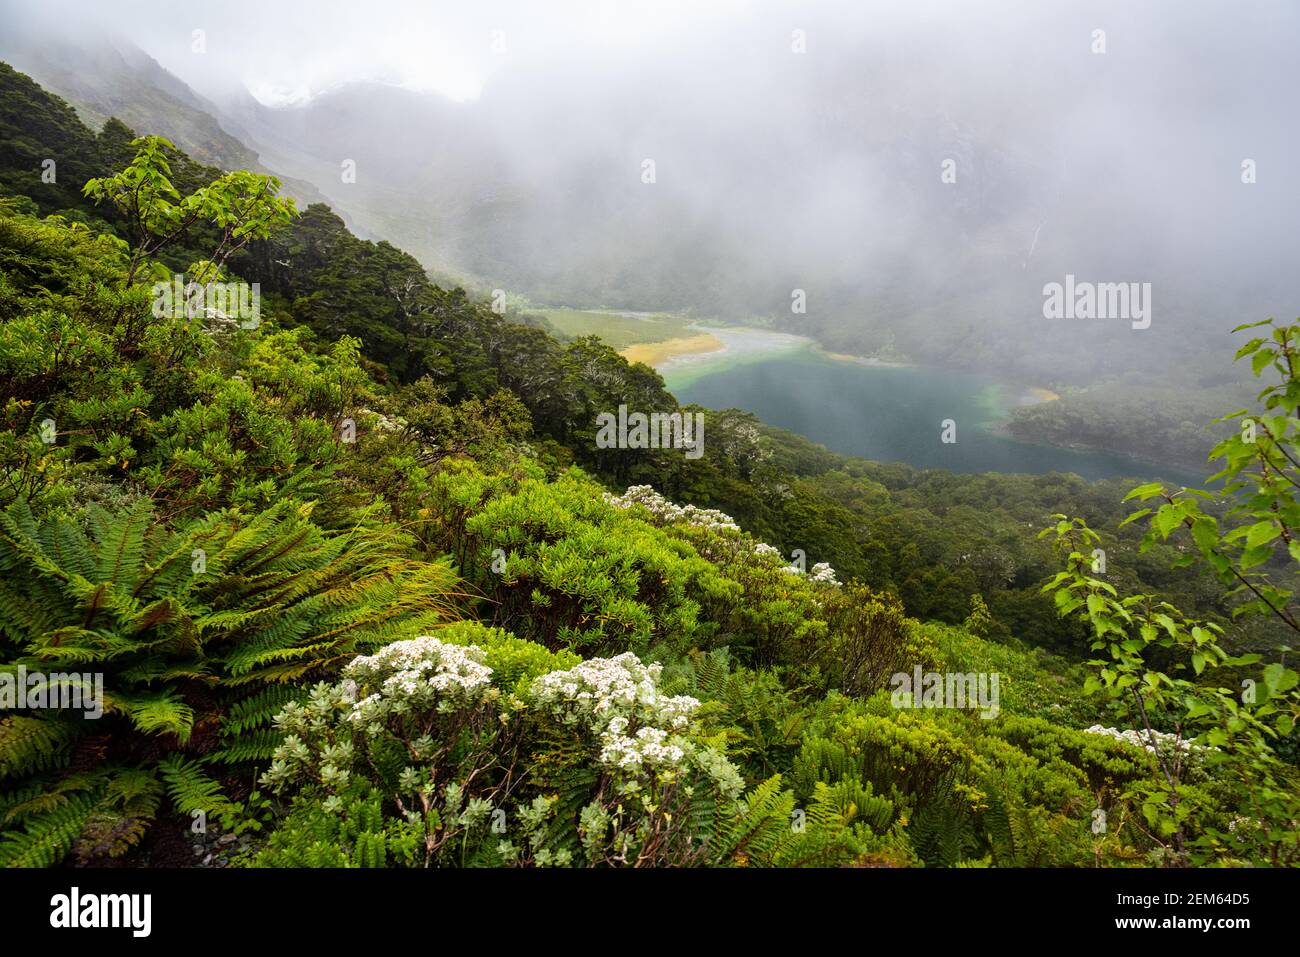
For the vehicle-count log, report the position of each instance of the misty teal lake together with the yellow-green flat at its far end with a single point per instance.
(879, 410)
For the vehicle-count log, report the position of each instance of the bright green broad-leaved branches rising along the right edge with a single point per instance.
(1162, 664)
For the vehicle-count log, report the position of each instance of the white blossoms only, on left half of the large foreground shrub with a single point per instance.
(414, 675)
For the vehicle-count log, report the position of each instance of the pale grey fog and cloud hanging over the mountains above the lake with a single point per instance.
(795, 146)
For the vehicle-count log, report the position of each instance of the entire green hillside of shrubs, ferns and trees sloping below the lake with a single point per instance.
(362, 588)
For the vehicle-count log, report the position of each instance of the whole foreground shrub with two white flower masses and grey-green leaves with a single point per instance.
(426, 754)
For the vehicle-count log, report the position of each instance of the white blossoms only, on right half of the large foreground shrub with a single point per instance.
(619, 700)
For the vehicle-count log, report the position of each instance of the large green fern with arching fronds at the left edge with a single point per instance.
(177, 626)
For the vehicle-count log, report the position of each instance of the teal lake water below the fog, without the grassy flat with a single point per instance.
(892, 414)
